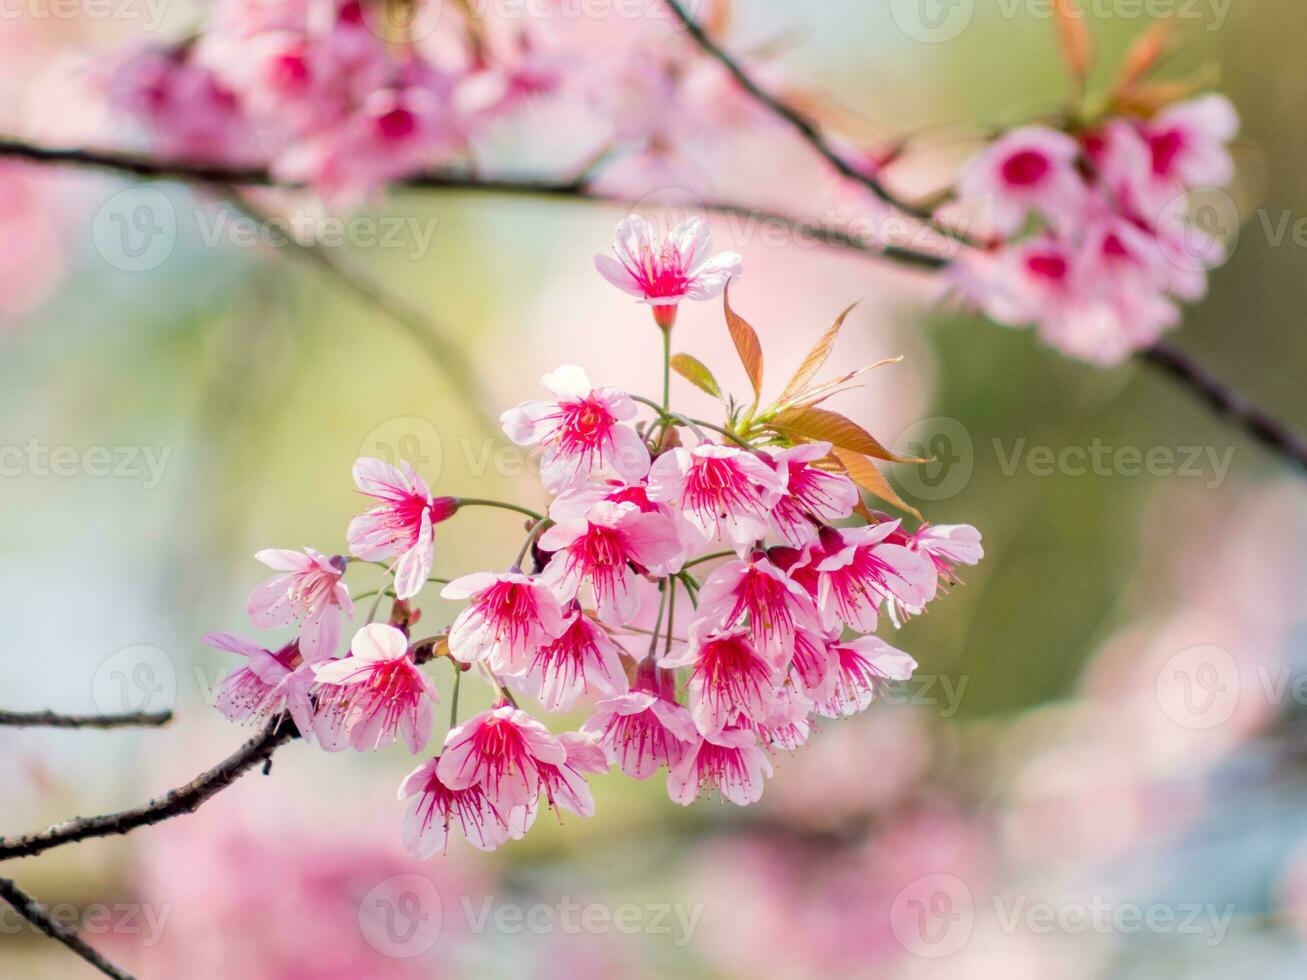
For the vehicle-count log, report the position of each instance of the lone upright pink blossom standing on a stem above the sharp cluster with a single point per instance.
(663, 274)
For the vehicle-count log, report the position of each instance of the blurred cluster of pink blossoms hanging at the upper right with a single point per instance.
(1095, 244)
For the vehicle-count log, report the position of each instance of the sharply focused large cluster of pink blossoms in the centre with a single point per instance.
(704, 602)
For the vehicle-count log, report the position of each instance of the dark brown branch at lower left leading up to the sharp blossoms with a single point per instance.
(182, 800)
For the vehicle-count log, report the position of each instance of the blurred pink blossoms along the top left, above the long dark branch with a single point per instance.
(352, 95)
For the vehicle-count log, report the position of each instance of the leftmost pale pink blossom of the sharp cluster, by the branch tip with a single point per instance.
(271, 683)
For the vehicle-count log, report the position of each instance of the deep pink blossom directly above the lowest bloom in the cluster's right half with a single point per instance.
(729, 679)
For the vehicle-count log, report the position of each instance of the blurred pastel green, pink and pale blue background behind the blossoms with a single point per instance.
(1099, 772)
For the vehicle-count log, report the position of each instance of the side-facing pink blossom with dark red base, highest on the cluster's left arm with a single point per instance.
(402, 526)
